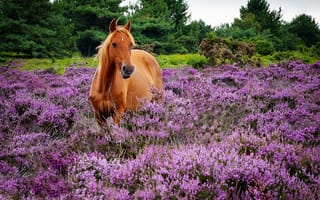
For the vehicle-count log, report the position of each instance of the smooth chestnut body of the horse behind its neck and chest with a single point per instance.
(147, 75)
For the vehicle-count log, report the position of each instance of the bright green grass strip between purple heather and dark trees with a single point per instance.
(165, 61)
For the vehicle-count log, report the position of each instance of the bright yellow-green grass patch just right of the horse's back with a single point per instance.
(178, 60)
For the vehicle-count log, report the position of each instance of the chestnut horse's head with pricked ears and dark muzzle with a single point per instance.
(119, 48)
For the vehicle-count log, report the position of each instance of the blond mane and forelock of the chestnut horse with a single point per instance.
(103, 56)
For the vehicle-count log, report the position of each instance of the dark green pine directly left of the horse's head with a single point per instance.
(91, 19)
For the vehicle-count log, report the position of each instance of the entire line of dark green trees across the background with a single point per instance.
(44, 28)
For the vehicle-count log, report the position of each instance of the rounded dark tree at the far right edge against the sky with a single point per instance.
(306, 28)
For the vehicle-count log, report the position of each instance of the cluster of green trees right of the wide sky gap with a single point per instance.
(266, 29)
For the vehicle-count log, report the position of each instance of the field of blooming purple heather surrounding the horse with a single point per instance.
(221, 133)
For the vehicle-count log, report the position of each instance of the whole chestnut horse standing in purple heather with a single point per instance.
(123, 77)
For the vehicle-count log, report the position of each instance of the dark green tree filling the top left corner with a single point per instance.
(34, 28)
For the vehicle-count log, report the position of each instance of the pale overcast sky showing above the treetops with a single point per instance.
(217, 12)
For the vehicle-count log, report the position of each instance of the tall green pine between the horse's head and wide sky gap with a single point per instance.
(160, 25)
